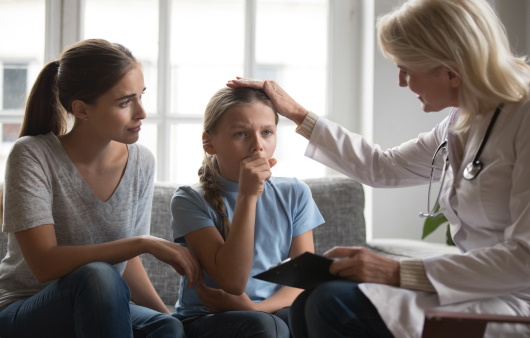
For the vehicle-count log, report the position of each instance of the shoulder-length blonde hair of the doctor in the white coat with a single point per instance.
(467, 37)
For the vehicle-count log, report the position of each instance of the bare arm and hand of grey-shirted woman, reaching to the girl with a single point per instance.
(49, 261)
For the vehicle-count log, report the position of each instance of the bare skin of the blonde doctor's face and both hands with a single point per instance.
(436, 89)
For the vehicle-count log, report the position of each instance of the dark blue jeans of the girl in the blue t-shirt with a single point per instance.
(239, 324)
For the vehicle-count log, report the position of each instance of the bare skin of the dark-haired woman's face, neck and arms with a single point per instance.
(96, 145)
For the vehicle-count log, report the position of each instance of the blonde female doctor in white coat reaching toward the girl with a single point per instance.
(451, 53)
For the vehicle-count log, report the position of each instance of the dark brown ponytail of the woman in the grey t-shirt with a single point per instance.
(43, 112)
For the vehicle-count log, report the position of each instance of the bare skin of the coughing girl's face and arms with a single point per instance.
(244, 143)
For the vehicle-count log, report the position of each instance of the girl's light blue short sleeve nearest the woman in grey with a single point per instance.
(190, 212)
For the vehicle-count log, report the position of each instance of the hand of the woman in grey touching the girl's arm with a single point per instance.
(179, 257)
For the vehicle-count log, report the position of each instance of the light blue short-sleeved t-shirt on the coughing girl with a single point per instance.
(285, 209)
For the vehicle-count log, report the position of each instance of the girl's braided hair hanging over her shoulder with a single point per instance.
(211, 191)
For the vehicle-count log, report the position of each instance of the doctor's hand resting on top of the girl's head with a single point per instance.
(283, 103)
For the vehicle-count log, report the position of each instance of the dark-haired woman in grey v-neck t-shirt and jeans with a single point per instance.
(77, 207)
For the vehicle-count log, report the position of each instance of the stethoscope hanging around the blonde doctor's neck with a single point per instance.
(471, 171)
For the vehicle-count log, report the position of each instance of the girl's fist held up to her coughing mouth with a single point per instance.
(254, 171)
